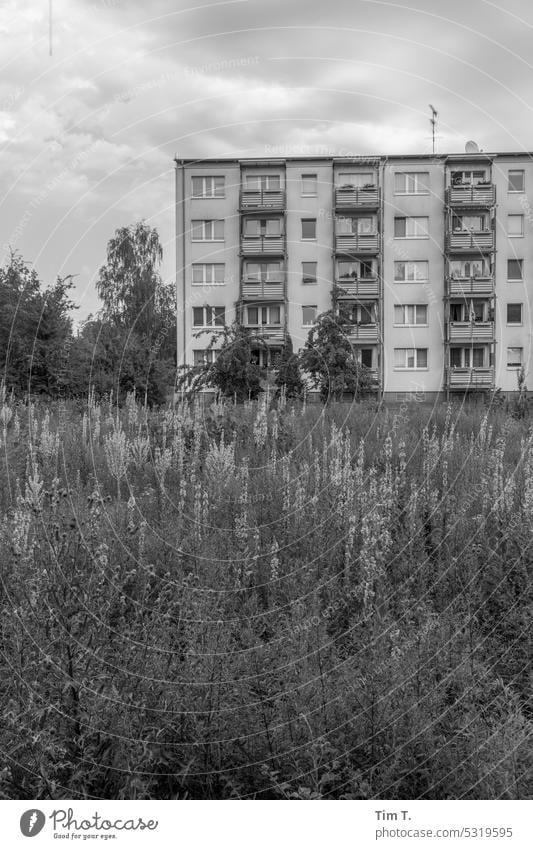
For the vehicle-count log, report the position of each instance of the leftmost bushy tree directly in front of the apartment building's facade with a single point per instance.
(233, 373)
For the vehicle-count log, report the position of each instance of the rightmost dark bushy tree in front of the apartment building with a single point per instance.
(329, 358)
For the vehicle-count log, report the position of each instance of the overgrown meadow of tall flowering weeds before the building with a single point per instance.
(265, 601)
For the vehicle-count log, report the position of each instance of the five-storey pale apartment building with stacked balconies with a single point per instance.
(432, 257)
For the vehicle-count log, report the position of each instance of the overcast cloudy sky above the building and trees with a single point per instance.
(88, 134)
